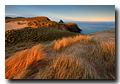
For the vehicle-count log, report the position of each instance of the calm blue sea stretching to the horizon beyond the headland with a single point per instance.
(93, 27)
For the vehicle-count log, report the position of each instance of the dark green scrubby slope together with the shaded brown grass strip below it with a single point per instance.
(17, 40)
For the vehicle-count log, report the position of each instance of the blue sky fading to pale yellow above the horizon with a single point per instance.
(64, 12)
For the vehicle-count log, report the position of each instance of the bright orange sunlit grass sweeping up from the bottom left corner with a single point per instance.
(19, 61)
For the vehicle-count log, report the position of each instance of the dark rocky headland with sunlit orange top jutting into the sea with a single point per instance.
(72, 27)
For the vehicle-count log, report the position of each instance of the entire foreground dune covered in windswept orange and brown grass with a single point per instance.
(79, 57)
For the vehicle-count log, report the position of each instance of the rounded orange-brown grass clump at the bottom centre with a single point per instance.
(67, 68)
